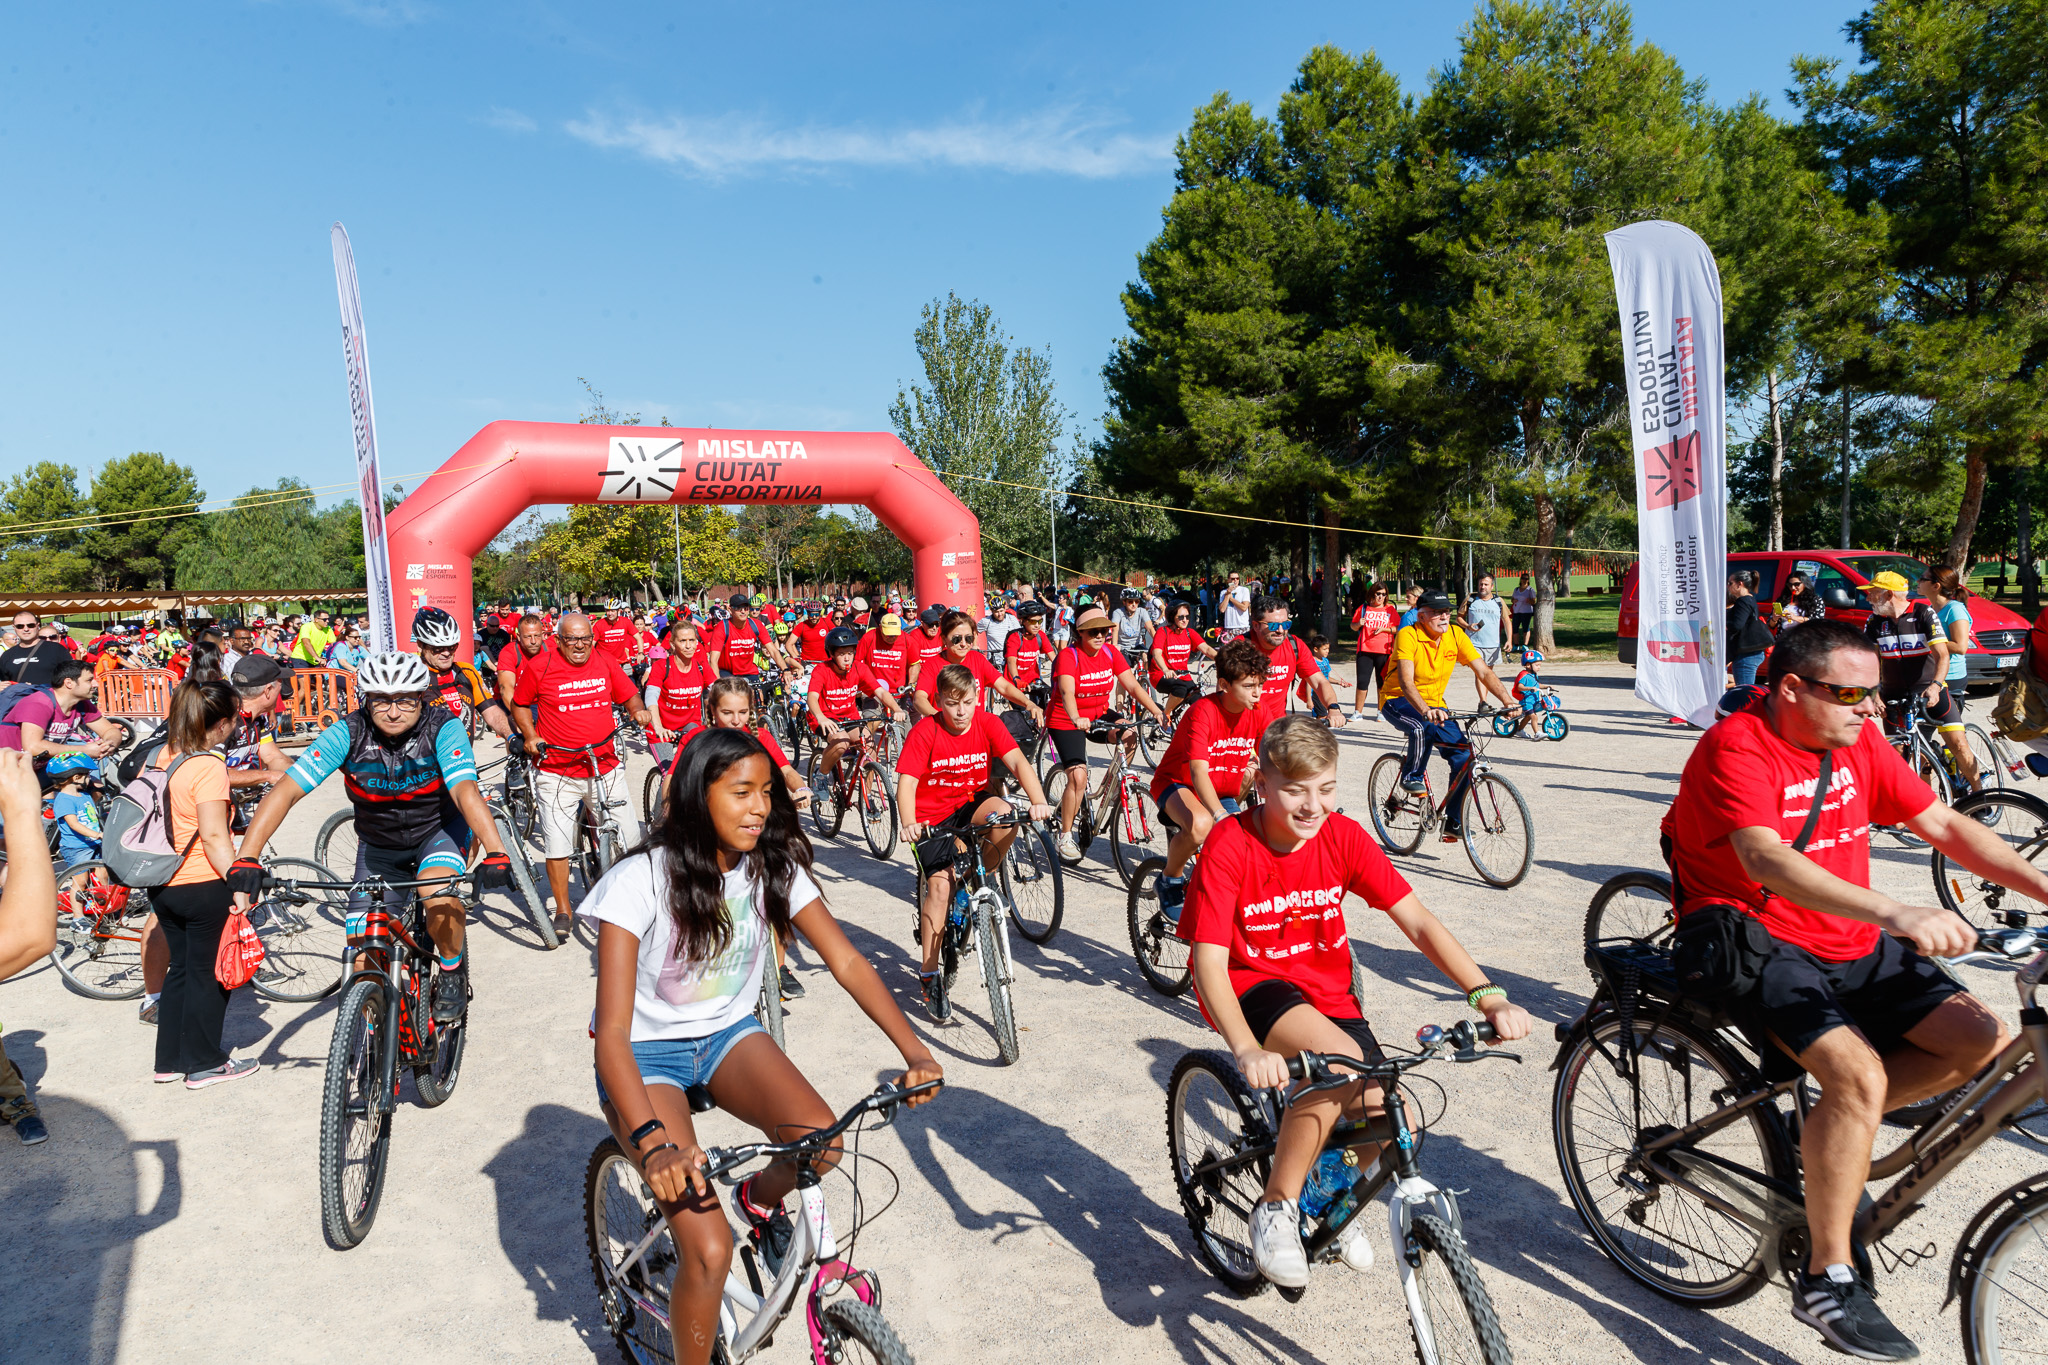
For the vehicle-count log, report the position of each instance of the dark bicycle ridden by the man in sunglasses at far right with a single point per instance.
(1687, 1170)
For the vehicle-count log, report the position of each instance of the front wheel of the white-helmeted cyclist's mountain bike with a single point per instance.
(355, 1125)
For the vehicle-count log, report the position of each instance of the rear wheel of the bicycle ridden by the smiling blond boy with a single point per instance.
(1211, 1118)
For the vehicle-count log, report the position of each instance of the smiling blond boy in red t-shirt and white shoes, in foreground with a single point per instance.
(1273, 965)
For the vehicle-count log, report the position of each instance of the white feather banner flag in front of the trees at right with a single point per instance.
(1670, 294)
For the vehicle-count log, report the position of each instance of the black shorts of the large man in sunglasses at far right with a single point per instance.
(1883, 996)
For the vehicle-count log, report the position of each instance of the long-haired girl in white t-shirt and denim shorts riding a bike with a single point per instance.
(683, 932)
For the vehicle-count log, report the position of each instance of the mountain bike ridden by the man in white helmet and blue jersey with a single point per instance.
(382, 1028)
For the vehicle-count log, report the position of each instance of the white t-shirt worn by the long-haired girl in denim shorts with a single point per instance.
(687, 1000)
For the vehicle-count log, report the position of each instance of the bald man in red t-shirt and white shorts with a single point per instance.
(570, 695)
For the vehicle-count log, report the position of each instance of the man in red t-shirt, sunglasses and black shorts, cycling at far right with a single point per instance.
(1865, 1012)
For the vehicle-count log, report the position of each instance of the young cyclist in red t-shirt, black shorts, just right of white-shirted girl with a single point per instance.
(945, 785)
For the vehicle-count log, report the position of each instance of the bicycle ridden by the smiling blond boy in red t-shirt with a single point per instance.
(1222, 1139)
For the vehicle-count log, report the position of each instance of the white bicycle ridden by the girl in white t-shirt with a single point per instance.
(632, 1245)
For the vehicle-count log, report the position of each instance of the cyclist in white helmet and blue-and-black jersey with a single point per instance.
(413, 779)
